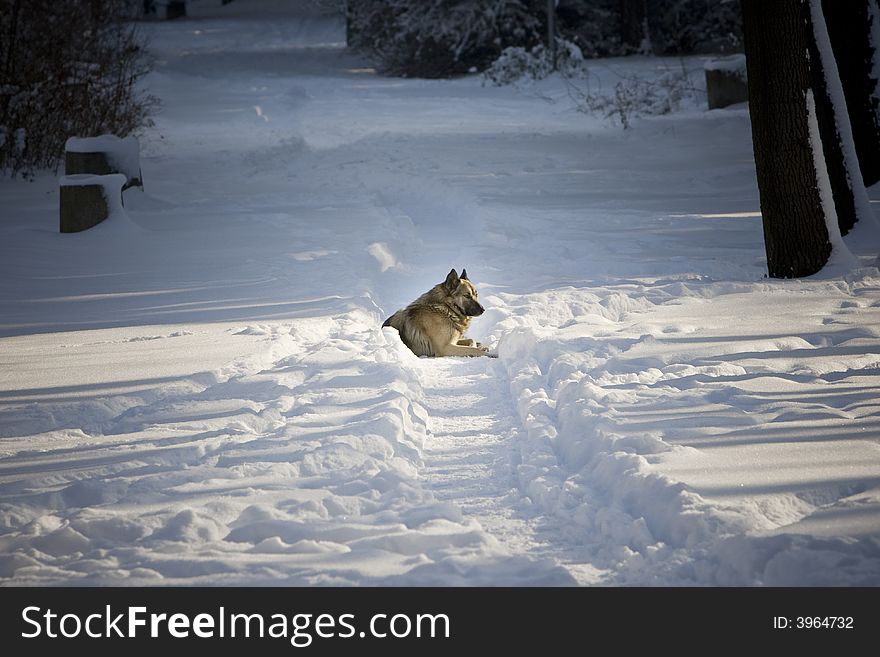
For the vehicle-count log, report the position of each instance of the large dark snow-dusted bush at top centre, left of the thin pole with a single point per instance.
(441, 38)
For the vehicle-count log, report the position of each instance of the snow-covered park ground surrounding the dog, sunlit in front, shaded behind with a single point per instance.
(198, 391)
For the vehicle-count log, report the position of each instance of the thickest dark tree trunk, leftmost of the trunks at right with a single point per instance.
(776, 41)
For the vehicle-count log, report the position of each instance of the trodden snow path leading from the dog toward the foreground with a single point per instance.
(471, 456)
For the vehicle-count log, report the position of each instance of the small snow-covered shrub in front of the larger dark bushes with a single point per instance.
(516, 63)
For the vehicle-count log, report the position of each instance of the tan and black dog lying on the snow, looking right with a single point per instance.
(433, 324)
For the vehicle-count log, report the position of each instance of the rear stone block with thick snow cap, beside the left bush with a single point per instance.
(104, 155)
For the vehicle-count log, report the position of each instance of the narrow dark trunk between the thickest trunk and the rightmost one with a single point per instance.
(829, 129)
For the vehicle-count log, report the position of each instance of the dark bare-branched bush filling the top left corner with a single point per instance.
(66, 69)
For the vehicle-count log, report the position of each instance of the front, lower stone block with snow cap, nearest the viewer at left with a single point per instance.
(88, 199)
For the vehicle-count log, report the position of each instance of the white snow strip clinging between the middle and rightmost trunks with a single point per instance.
(860, 202)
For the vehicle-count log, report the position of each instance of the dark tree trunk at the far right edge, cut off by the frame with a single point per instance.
(849, 26)
